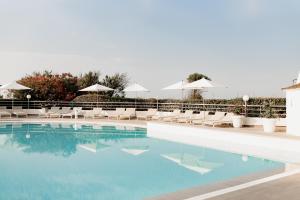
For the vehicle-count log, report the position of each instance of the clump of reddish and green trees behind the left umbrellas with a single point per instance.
(47, 86)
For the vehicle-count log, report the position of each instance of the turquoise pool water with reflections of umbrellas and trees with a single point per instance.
(66, 161)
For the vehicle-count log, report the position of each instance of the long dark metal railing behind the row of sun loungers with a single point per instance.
(252, 110)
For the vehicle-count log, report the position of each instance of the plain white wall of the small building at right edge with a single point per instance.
(293, 112)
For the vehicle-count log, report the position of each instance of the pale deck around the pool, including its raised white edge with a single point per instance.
(246, 141)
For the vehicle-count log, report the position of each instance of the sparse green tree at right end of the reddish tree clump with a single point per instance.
(118, 82)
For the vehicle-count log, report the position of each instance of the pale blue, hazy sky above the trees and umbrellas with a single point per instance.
(251, 46)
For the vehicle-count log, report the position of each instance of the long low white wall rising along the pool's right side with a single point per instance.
(263, 146)
